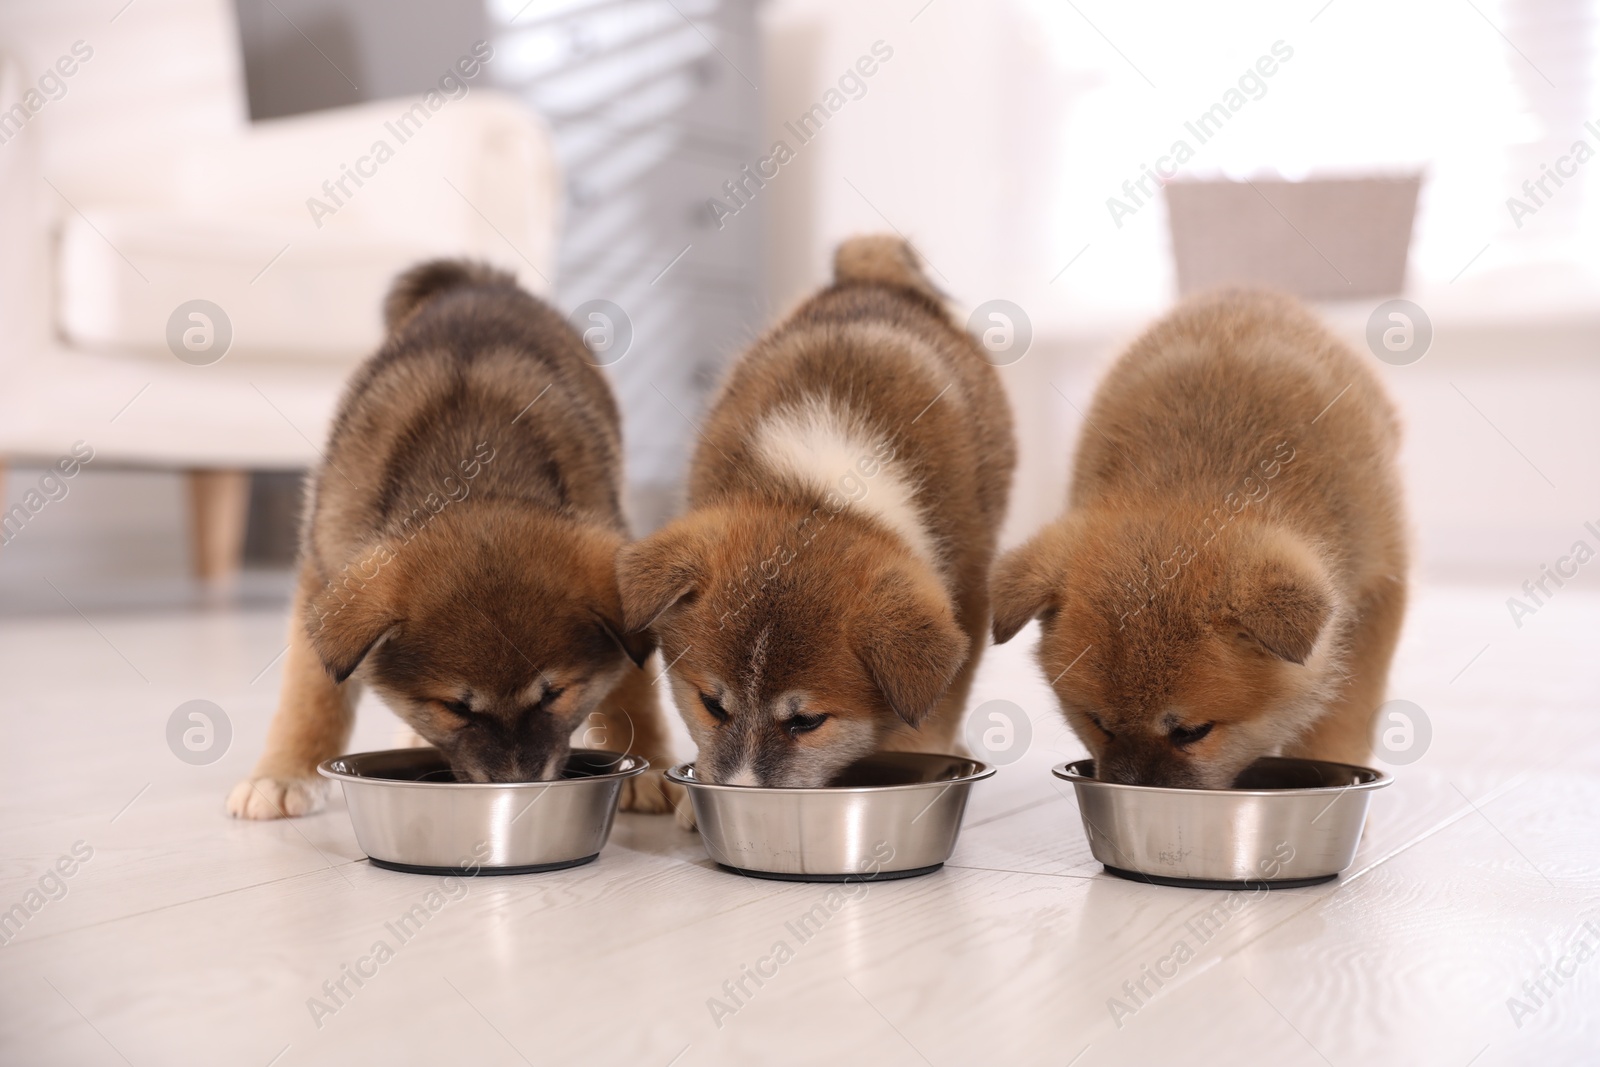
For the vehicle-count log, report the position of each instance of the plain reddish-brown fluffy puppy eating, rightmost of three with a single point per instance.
(1228, 580)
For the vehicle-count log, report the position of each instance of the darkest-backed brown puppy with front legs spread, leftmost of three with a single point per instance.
(460, 554)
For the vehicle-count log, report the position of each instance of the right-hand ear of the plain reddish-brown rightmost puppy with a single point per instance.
(1281, 597)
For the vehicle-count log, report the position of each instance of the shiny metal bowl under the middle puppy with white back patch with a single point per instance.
(894, 815)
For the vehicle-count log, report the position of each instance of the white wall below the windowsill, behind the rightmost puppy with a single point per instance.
(1479, 503)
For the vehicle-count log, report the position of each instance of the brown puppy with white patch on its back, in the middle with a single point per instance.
(826, 596)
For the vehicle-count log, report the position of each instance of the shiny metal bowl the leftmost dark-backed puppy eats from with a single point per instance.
(412, 815)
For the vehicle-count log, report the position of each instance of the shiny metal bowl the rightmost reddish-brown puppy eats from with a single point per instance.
(1286, 825)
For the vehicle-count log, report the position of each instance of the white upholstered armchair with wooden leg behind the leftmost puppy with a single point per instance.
(143, 188)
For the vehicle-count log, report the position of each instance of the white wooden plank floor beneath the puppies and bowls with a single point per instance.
(188, 938)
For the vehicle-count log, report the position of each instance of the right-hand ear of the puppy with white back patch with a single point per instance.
(911, 647)
